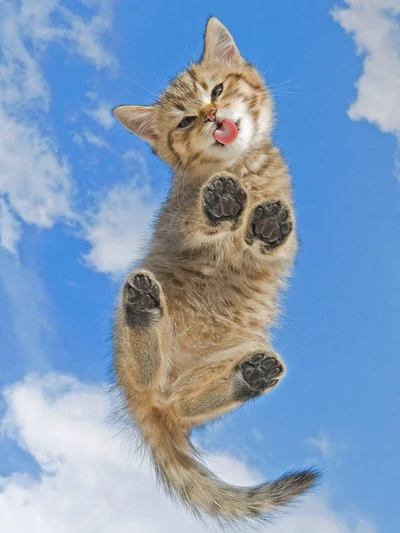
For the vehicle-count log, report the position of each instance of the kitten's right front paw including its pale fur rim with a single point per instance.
(270, 226)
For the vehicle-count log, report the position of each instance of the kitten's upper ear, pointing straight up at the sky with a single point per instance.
(219, 45)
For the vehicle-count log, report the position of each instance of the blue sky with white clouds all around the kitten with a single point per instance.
(77, 196)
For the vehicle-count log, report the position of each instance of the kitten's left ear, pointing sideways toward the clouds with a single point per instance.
(139, 120)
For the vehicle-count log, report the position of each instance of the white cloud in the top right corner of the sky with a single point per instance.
(375, 27)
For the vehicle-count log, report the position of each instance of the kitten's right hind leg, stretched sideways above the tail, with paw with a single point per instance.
(207, 392)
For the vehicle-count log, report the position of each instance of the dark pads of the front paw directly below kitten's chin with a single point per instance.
(223, 199)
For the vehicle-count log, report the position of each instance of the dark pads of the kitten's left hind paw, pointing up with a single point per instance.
(142, 296)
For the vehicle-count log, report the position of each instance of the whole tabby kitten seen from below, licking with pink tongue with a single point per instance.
(190, 340)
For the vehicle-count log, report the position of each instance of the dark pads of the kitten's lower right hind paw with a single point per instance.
(259, 373)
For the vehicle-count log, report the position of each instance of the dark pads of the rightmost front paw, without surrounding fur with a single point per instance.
(270, 224)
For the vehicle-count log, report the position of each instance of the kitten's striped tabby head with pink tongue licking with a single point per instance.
(212, 113)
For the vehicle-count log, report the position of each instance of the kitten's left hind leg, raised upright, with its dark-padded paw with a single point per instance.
(140, 329)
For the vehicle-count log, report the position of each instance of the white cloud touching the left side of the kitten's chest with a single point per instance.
(116, 228)
